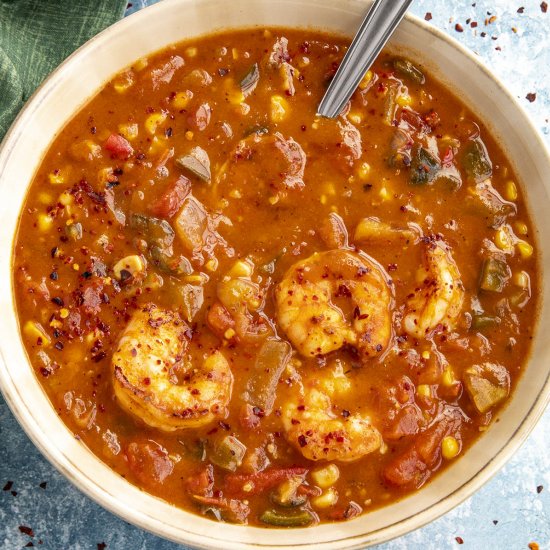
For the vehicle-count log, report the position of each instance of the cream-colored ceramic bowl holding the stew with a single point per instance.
(170, 21)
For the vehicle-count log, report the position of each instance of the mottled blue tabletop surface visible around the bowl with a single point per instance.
(508, 511)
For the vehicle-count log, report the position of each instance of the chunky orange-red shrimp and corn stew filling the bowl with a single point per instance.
(262, 315)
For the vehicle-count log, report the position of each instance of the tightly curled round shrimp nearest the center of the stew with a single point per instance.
(334, 299)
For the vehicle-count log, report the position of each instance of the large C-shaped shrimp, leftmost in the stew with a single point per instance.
(155, 381)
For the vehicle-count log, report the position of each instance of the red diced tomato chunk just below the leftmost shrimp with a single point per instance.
(149, 462)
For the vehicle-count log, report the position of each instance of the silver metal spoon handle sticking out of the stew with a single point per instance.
(375, 30)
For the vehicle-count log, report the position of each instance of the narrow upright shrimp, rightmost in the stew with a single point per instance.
(438, 301)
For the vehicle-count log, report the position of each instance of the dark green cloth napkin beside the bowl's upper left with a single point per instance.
(36, 35)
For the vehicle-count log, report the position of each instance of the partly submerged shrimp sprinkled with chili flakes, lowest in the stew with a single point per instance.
(319, 433)
